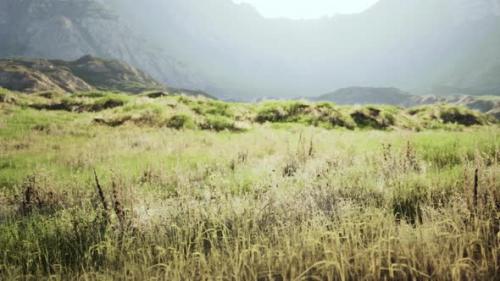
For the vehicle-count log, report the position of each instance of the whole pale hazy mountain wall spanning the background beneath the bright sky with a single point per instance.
(441, 47)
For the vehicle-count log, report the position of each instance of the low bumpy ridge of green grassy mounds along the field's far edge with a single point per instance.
(161, 109)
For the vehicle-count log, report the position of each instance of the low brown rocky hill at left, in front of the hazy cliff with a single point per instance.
(84, 74)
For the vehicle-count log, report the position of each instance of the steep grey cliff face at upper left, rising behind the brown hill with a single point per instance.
(69, 29)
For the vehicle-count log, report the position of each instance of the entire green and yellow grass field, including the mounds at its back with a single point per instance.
(106, 186)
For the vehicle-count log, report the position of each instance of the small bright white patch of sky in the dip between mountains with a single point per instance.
(308, 8)
